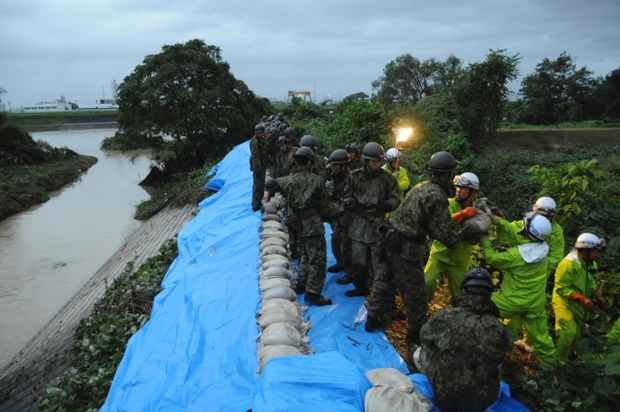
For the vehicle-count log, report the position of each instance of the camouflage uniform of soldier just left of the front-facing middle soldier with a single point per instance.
(340, 242)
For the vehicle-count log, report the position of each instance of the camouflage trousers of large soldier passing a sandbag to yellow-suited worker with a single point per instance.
(404, 271)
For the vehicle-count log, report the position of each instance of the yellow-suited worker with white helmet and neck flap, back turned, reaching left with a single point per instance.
(523, 289)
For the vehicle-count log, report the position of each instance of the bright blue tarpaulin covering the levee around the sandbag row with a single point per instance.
(198, 350)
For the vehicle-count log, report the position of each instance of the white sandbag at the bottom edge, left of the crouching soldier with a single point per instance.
(393, 391)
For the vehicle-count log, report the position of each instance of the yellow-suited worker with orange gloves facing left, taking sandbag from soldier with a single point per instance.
(453, 263)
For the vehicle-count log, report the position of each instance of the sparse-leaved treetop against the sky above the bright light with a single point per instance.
(407, 79)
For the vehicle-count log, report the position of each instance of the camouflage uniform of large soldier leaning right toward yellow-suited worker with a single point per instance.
(424, 211)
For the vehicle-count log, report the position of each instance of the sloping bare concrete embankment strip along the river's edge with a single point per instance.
(24, 375)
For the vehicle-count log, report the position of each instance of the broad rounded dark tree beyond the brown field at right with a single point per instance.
(558, 92)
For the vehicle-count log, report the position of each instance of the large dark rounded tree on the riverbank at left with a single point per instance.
(185, 103)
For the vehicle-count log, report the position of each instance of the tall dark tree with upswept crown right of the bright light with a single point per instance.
(480, 98)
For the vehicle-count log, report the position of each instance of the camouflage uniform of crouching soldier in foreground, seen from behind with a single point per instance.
(462, 349)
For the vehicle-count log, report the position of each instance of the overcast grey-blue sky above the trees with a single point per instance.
(336, 47)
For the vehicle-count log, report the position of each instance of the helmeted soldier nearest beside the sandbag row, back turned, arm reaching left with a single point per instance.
(307, 199)
